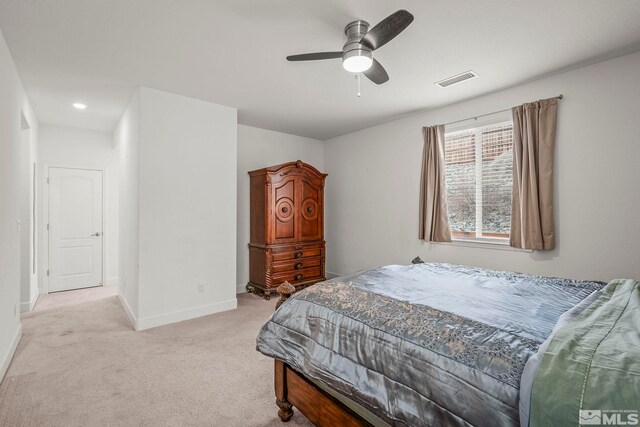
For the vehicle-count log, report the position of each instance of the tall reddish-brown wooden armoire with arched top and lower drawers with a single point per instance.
(287, 227)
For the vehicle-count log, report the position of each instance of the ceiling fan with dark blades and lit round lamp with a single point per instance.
(357, 52)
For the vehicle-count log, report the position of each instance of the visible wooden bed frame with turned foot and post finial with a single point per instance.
(294, 389)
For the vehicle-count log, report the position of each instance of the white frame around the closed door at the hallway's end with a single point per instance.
(45, 217)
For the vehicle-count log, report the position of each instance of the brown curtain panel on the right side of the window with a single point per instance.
(534, 137)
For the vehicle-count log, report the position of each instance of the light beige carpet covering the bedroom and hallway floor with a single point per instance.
(80, 363)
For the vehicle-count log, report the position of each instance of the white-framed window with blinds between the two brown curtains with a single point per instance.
(479, 178)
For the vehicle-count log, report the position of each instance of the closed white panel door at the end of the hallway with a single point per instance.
(75, 228)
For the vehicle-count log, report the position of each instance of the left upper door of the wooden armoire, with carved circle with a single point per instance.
(284, 206)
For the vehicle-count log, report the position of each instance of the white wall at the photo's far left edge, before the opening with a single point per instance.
(13, 101)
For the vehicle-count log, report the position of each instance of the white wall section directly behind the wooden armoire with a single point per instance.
(259, 148)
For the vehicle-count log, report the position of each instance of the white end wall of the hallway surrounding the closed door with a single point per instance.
(64, 146)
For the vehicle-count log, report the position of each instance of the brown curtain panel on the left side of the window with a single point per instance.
(434, 217)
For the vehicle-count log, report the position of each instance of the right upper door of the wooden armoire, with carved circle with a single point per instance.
(310, 226)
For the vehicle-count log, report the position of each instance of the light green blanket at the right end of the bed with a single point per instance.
(590, 373)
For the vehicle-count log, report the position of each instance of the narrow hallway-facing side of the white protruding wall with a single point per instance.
(126, 138)
